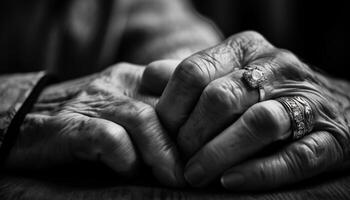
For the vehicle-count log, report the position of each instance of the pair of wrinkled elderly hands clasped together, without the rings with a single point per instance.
(220, 124)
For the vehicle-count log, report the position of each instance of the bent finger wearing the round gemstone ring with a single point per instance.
(226, 98)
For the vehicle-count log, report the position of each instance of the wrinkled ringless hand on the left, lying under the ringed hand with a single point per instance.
(103, 117)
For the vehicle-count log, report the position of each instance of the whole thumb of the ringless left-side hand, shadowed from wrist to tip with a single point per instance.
(48, 141)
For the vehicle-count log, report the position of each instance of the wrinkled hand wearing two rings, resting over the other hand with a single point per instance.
(223, 121)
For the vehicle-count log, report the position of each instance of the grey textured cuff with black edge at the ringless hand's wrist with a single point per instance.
(17, 92)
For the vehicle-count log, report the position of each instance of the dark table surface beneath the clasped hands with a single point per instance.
(103, 184)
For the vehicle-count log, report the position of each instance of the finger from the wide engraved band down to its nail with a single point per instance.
(258, 127)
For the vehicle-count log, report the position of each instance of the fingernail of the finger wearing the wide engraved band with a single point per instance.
(194, 174)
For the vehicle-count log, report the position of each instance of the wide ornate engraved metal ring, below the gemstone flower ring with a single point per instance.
(300, 113)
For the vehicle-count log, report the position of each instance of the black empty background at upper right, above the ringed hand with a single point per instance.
(317, 31)
